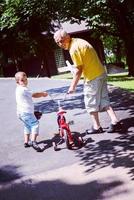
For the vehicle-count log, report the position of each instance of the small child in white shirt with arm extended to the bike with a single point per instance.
(25, 110)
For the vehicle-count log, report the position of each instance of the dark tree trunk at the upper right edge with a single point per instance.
(126, 30)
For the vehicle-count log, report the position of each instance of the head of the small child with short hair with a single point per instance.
(21, 78)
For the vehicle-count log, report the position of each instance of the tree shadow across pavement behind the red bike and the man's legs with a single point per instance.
(120, 100)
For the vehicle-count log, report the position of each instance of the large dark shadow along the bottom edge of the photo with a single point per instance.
(58, 190)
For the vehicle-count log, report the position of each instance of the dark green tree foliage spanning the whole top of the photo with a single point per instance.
(23, 21)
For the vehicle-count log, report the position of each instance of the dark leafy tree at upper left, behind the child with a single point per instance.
(21, 25)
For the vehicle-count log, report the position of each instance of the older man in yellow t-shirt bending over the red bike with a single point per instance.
(87, 62)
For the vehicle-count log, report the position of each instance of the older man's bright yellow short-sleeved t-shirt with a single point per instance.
(84, 55)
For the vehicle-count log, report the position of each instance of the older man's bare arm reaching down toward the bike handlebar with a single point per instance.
(75, 80)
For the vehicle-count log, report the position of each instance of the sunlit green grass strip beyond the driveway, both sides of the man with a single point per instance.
(119, 80)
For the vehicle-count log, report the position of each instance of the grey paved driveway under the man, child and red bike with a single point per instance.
(102, 169)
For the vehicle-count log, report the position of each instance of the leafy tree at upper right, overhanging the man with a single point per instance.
(105, 17)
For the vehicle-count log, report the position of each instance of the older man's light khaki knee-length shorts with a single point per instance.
(96, 94)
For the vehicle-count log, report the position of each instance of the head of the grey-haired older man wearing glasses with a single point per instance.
(62, 38)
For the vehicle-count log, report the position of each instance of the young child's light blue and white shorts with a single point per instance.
(31, 124)
